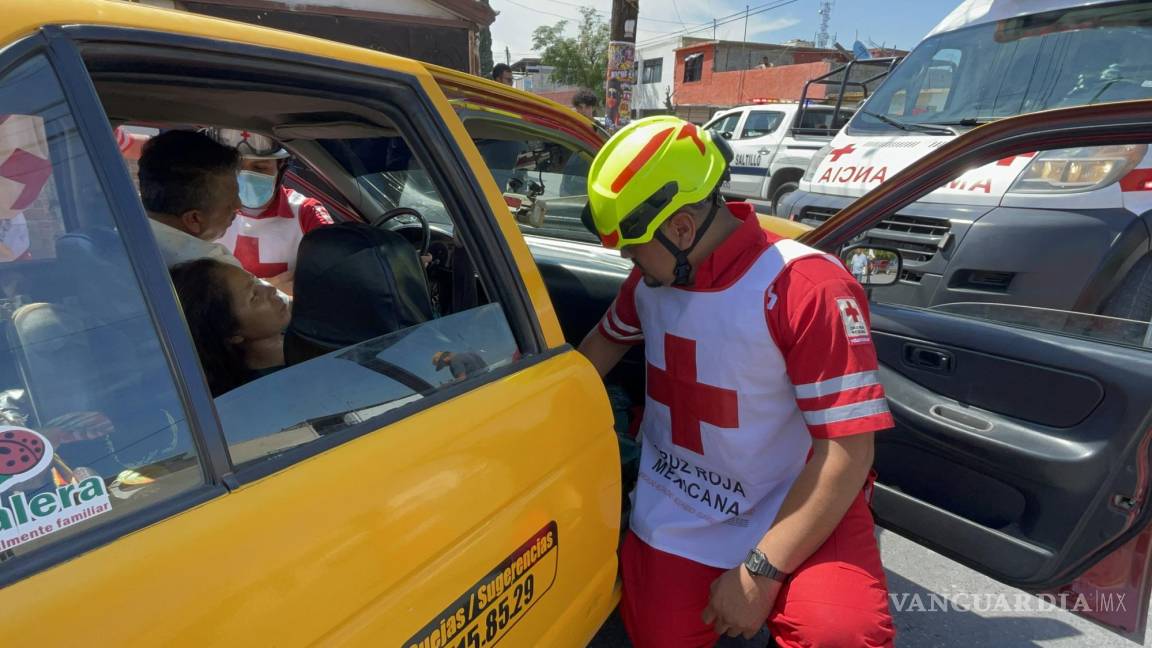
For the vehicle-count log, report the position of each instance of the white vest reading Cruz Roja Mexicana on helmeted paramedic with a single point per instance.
(717, 385)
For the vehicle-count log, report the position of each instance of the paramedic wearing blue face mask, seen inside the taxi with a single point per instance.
(274, 218)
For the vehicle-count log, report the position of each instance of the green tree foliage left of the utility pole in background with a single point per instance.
(581, 61)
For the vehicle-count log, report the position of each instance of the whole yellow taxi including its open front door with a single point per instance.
(436, 466)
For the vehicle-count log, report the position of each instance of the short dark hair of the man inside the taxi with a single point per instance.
(177, 170)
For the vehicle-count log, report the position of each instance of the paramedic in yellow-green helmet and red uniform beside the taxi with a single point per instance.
(762, 403)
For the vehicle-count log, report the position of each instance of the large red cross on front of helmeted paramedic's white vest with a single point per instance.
(691, 403)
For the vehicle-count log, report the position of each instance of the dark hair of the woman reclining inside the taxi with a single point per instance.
(208, 310)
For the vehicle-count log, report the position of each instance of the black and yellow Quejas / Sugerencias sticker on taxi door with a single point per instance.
(489, 611)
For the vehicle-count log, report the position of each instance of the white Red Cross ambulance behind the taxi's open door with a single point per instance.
(986, 62)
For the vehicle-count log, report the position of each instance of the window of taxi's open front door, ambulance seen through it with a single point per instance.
(1049, 254)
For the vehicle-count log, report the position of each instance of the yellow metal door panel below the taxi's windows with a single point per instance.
(377, 539)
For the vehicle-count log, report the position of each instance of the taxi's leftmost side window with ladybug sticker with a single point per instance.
(92, 427)
